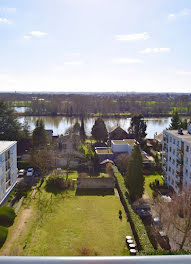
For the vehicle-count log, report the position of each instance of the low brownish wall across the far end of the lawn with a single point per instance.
(95, 183)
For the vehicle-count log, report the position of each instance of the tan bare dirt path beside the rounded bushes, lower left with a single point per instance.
(18, 227)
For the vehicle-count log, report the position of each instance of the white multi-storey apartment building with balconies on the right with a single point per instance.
(177, 158)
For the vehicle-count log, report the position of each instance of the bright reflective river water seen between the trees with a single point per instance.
(60, 124)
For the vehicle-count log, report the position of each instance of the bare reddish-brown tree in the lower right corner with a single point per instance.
(176, 218)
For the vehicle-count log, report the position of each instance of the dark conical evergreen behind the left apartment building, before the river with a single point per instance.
(39, 136)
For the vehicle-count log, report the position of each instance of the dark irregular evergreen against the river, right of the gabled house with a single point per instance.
(138, 127)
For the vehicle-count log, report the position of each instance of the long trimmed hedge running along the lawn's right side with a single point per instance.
(137, 226)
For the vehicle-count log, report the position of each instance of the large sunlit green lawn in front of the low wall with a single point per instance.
(69, 225)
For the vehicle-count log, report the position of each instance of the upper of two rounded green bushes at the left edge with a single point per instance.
(7, 216)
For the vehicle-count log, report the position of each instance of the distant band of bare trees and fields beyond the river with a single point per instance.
(115, 104)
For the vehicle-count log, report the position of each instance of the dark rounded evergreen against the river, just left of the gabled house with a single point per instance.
(99, 130)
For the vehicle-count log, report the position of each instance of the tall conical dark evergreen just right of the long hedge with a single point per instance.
(134, 177)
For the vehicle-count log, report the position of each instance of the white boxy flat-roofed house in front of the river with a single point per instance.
(125, 145)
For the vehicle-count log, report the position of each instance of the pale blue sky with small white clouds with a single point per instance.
(95, 45)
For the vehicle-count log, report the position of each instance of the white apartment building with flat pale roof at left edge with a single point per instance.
(8, 167)
